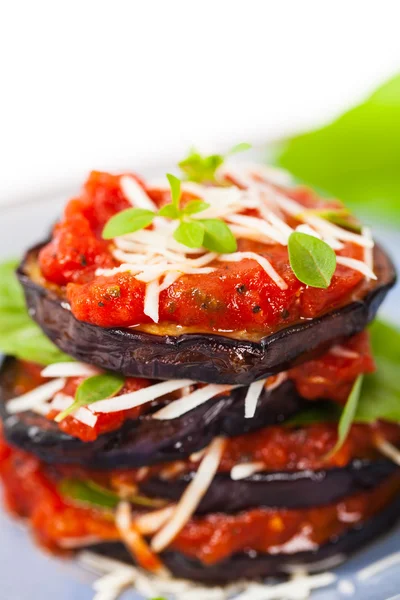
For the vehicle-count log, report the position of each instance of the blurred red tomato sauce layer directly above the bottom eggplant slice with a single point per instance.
(31, 492)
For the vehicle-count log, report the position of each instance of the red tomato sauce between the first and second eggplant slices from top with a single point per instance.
(330, 377)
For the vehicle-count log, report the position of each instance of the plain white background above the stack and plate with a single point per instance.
(101, 84)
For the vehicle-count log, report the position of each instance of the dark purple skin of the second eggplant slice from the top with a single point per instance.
(143, 441)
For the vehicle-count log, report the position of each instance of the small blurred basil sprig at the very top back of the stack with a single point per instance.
(202, 168)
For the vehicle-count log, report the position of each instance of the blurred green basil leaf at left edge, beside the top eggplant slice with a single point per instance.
(19, 335)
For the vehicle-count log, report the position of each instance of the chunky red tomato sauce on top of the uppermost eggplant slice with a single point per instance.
(235, 297)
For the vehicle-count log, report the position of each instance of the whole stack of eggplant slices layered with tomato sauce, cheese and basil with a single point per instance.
(211, 406)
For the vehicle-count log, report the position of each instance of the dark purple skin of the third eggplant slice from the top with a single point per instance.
(280, 489)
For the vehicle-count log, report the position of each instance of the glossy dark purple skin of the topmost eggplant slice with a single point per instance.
(208, 358)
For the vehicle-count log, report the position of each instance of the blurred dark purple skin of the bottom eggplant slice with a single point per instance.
(254, 565)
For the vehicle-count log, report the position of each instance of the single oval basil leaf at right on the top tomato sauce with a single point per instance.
(312, 260)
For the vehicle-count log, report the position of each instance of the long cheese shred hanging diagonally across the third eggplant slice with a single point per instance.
(192, 496)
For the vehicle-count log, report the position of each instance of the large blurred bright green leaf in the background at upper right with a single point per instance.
(356, 157)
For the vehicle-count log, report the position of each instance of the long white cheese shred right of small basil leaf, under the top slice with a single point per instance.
(139, 397)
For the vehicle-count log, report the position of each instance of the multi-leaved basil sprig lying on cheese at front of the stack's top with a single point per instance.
(212, 234)
